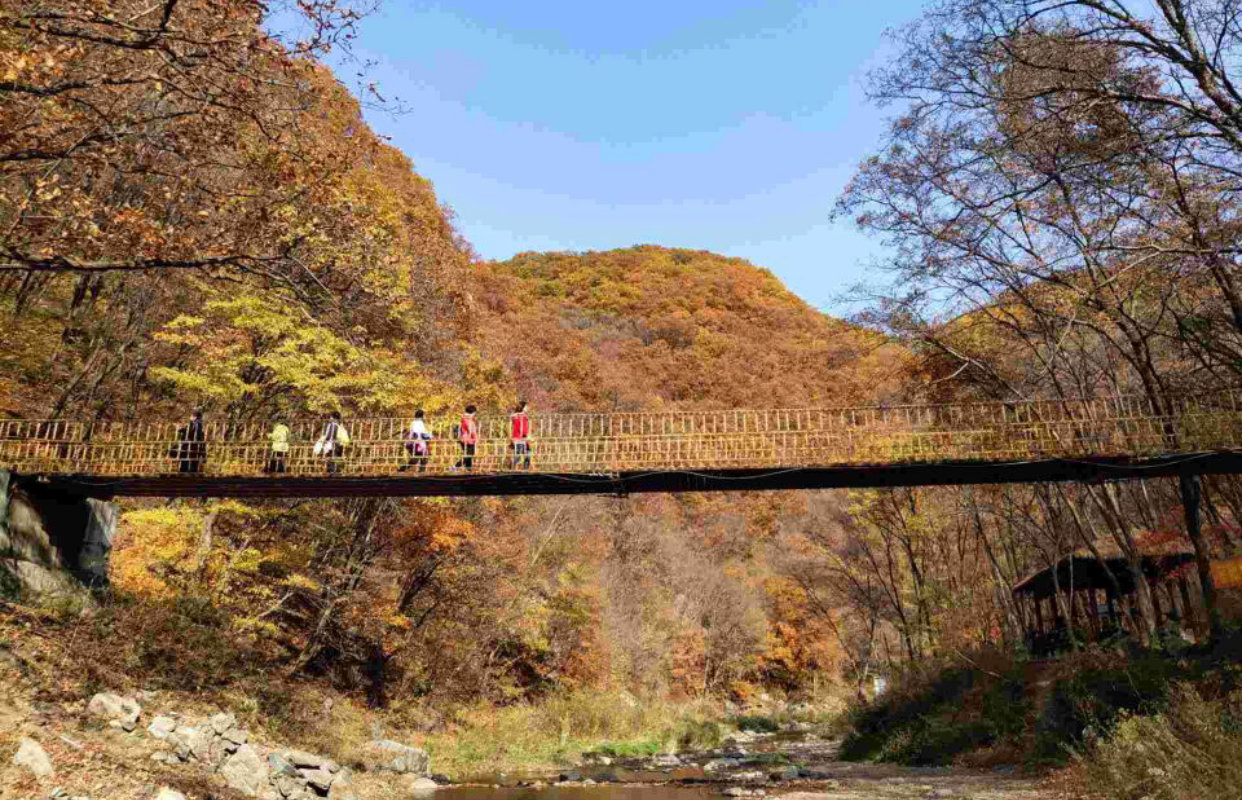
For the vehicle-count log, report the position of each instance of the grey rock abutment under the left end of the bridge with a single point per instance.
(52, 546)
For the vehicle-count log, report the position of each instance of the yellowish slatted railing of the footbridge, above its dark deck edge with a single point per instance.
(678, 440)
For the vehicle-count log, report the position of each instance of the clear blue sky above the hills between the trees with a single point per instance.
(715, 125)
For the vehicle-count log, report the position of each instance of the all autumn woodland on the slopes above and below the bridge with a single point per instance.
(194, 214)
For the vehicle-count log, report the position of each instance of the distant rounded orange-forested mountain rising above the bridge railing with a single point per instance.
(658, 329)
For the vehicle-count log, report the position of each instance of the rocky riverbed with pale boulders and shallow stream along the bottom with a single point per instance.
(145, 747)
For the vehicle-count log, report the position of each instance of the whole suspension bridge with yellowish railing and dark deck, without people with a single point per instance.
(625, 453)
